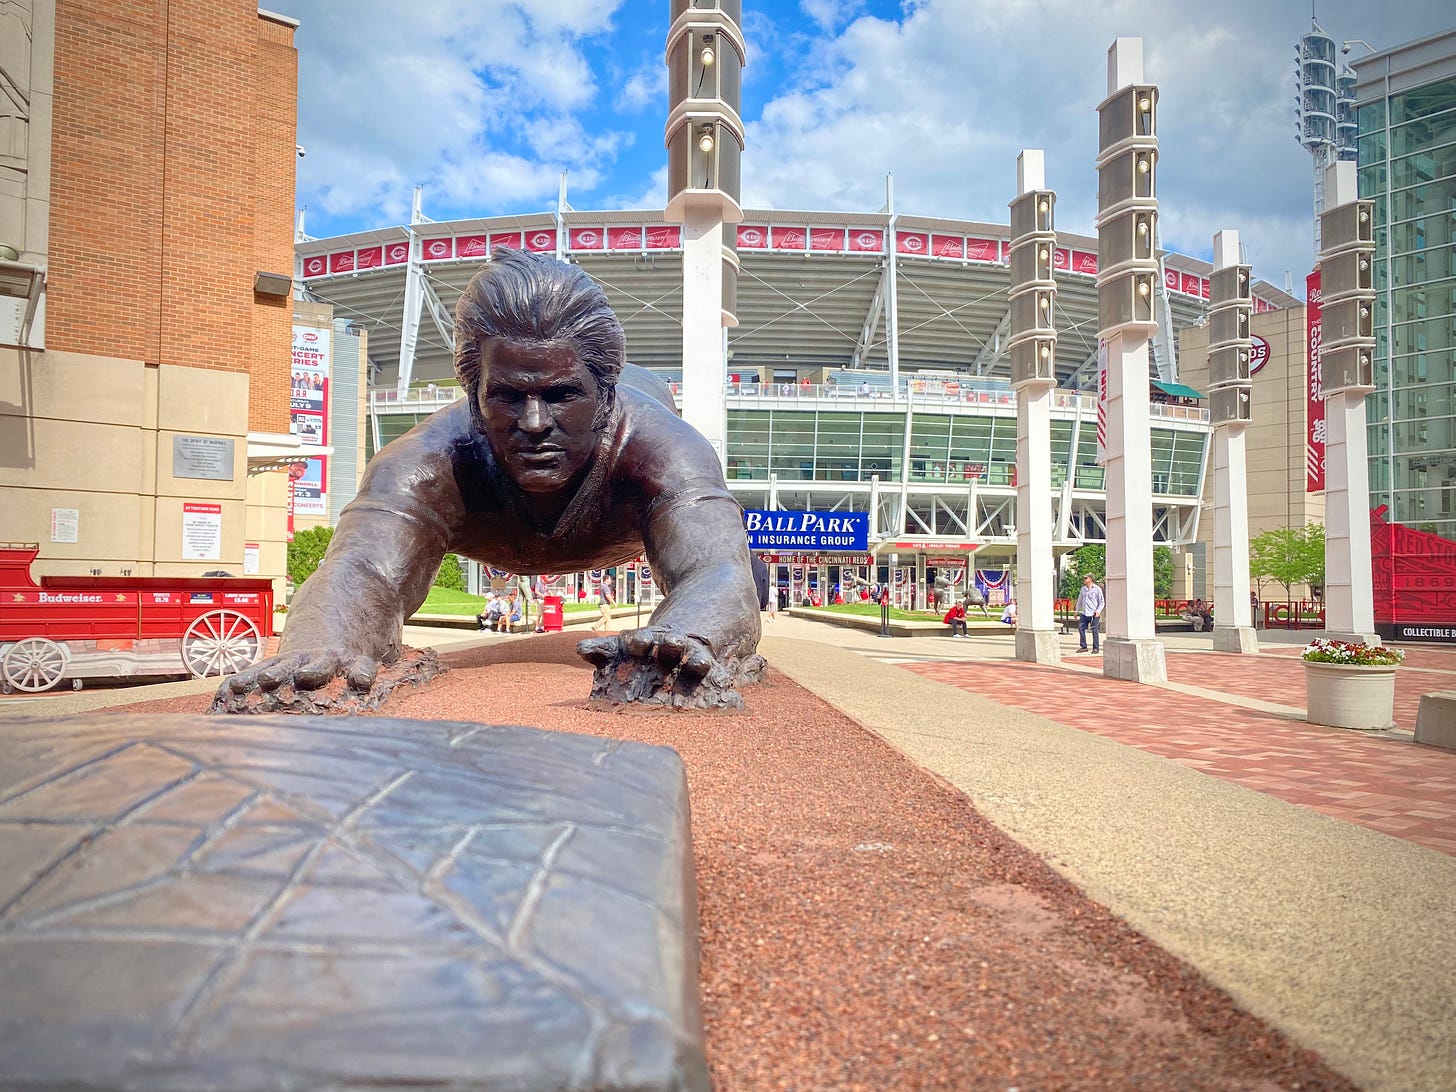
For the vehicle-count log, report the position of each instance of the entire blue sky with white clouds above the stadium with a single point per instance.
(487, 103)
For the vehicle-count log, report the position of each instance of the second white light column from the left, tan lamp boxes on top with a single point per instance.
(1033, 369)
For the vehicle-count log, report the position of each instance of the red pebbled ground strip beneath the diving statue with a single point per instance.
(864, 928)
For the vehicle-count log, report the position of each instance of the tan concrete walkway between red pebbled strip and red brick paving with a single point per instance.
(1342, 937)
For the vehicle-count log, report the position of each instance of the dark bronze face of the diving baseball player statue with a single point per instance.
(539, 404)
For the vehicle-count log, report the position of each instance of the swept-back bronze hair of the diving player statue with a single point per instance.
(522, 296)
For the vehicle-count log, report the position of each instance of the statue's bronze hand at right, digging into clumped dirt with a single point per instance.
(663, 666)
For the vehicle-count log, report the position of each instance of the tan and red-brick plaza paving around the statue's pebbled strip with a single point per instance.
(1307, 871)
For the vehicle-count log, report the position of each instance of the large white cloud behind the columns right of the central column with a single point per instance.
(946, 97)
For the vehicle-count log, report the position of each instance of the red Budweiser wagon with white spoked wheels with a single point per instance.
(107, 627)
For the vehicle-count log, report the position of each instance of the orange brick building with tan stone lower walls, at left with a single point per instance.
(146, 248)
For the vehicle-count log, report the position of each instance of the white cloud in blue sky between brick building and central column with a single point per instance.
(395, 100)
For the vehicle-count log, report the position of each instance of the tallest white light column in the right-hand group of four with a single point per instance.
(1128, 282)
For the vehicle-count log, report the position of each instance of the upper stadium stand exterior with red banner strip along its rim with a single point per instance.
(815, 290)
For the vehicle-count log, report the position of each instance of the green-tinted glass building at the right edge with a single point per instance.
(1407, 120)
